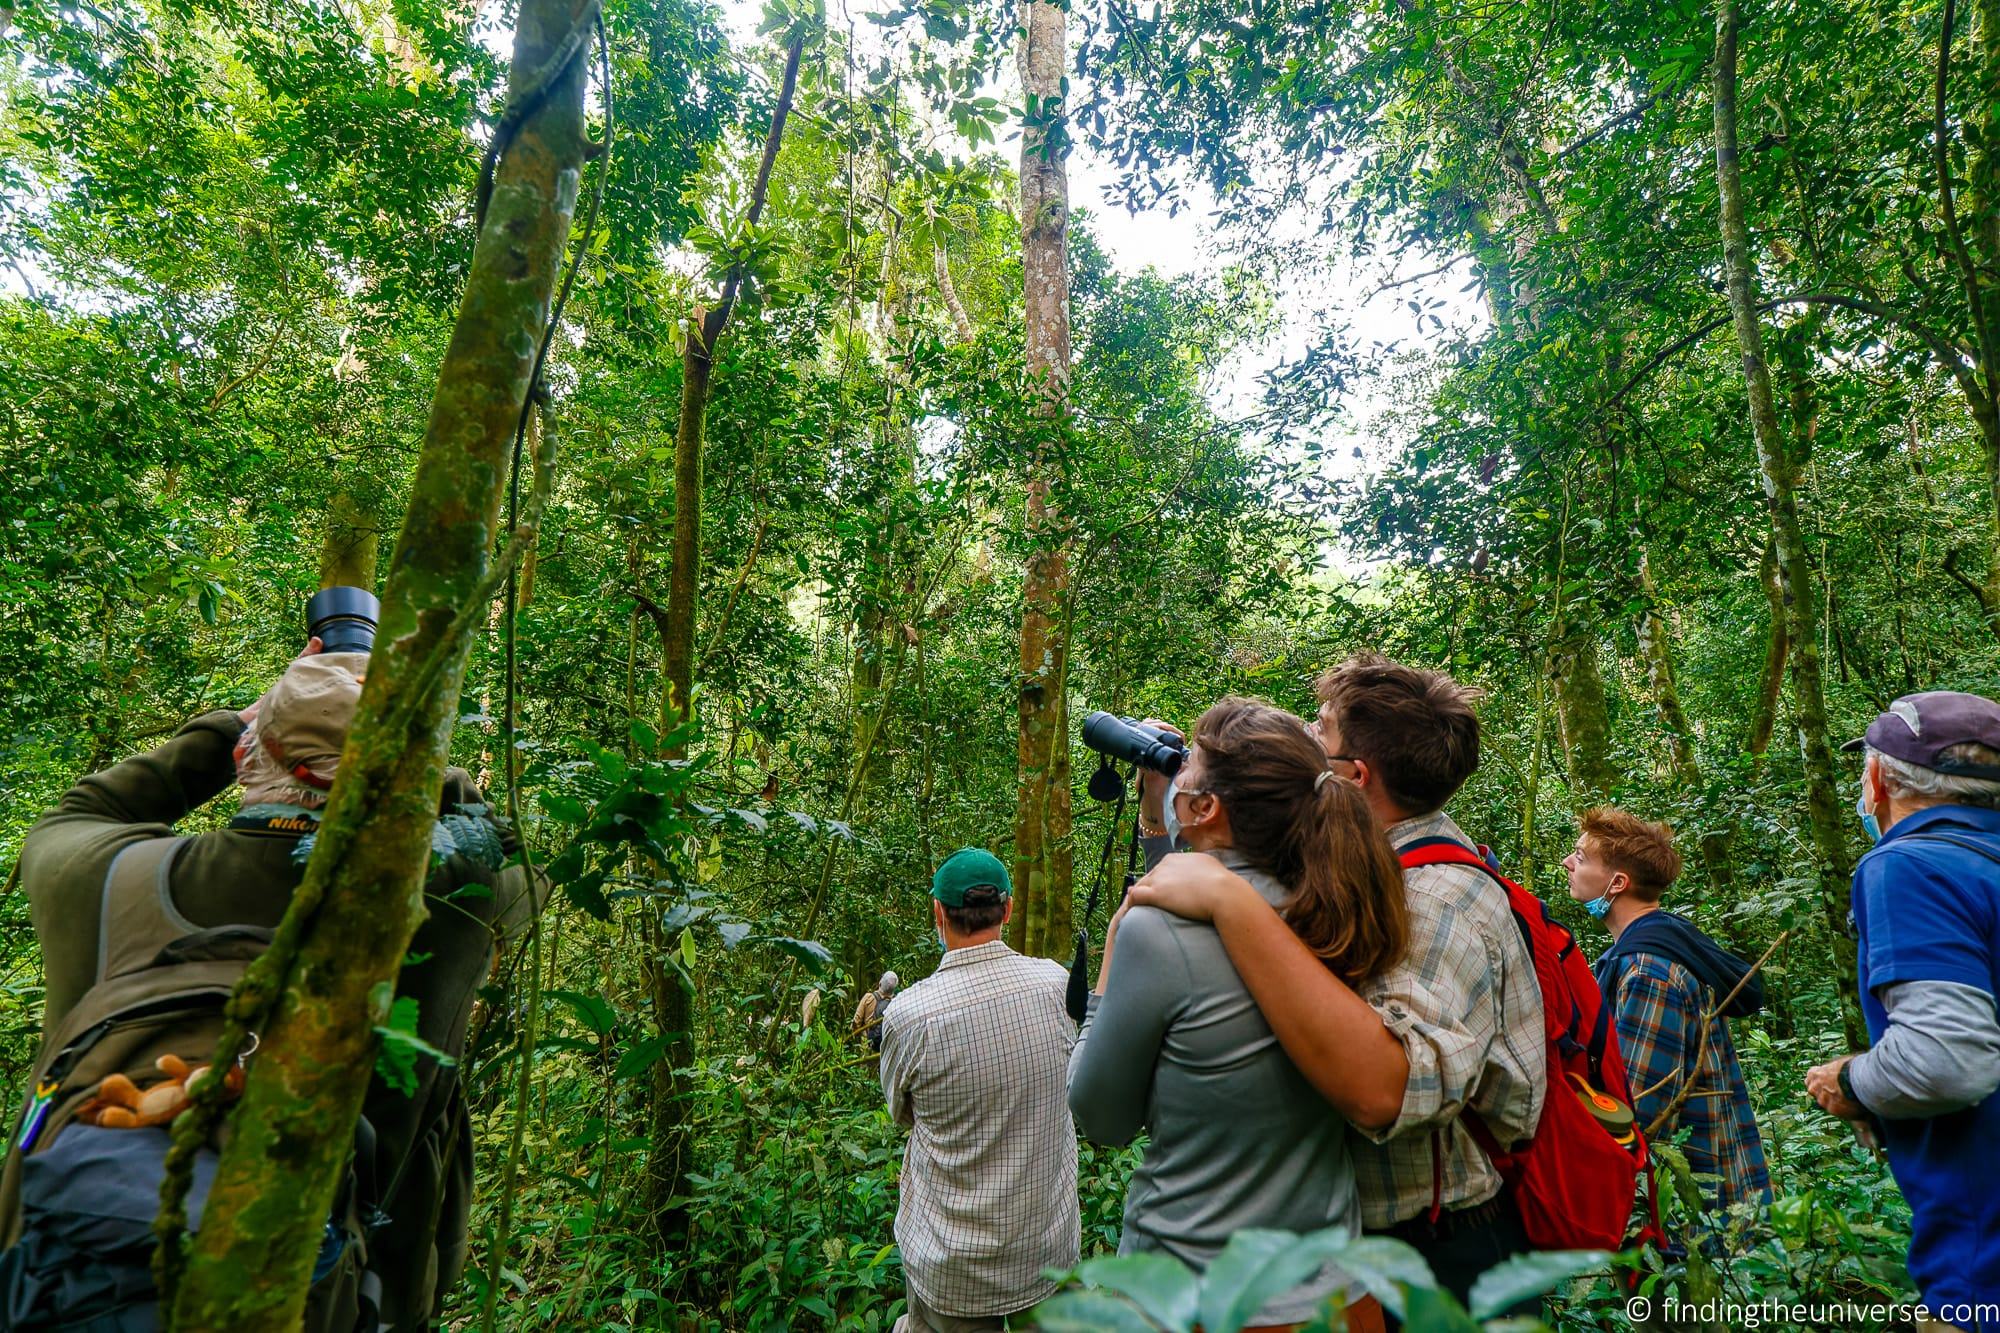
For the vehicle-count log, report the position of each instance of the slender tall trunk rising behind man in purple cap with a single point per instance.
(1795, 559)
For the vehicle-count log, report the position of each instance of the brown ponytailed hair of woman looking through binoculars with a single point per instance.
(1317, 836)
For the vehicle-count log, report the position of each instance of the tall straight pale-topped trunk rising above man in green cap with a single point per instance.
(1043, 798)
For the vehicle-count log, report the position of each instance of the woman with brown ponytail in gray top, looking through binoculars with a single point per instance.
(1173, 1044)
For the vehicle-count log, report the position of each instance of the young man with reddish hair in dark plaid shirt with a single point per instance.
(1665, 982)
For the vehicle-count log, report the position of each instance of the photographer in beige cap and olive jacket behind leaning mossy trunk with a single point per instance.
(133, 918)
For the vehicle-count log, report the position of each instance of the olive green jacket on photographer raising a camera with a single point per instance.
(423, 1164)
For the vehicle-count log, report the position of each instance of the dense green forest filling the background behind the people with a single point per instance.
(867, 457)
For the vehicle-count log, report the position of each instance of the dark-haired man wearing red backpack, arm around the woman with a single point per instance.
(1455, 1028)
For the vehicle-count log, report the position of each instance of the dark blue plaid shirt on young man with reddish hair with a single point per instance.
(1657, 1006)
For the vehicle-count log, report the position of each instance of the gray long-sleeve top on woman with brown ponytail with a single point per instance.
(1239, 1138)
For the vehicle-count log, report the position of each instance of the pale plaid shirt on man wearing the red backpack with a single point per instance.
(1469, 1014)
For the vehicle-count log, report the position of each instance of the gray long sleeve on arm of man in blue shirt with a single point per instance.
(1941, 1052)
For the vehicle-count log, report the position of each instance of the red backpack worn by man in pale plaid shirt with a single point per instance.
(1575, 1178)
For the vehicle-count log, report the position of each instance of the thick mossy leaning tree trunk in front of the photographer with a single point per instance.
(295, 1128)
